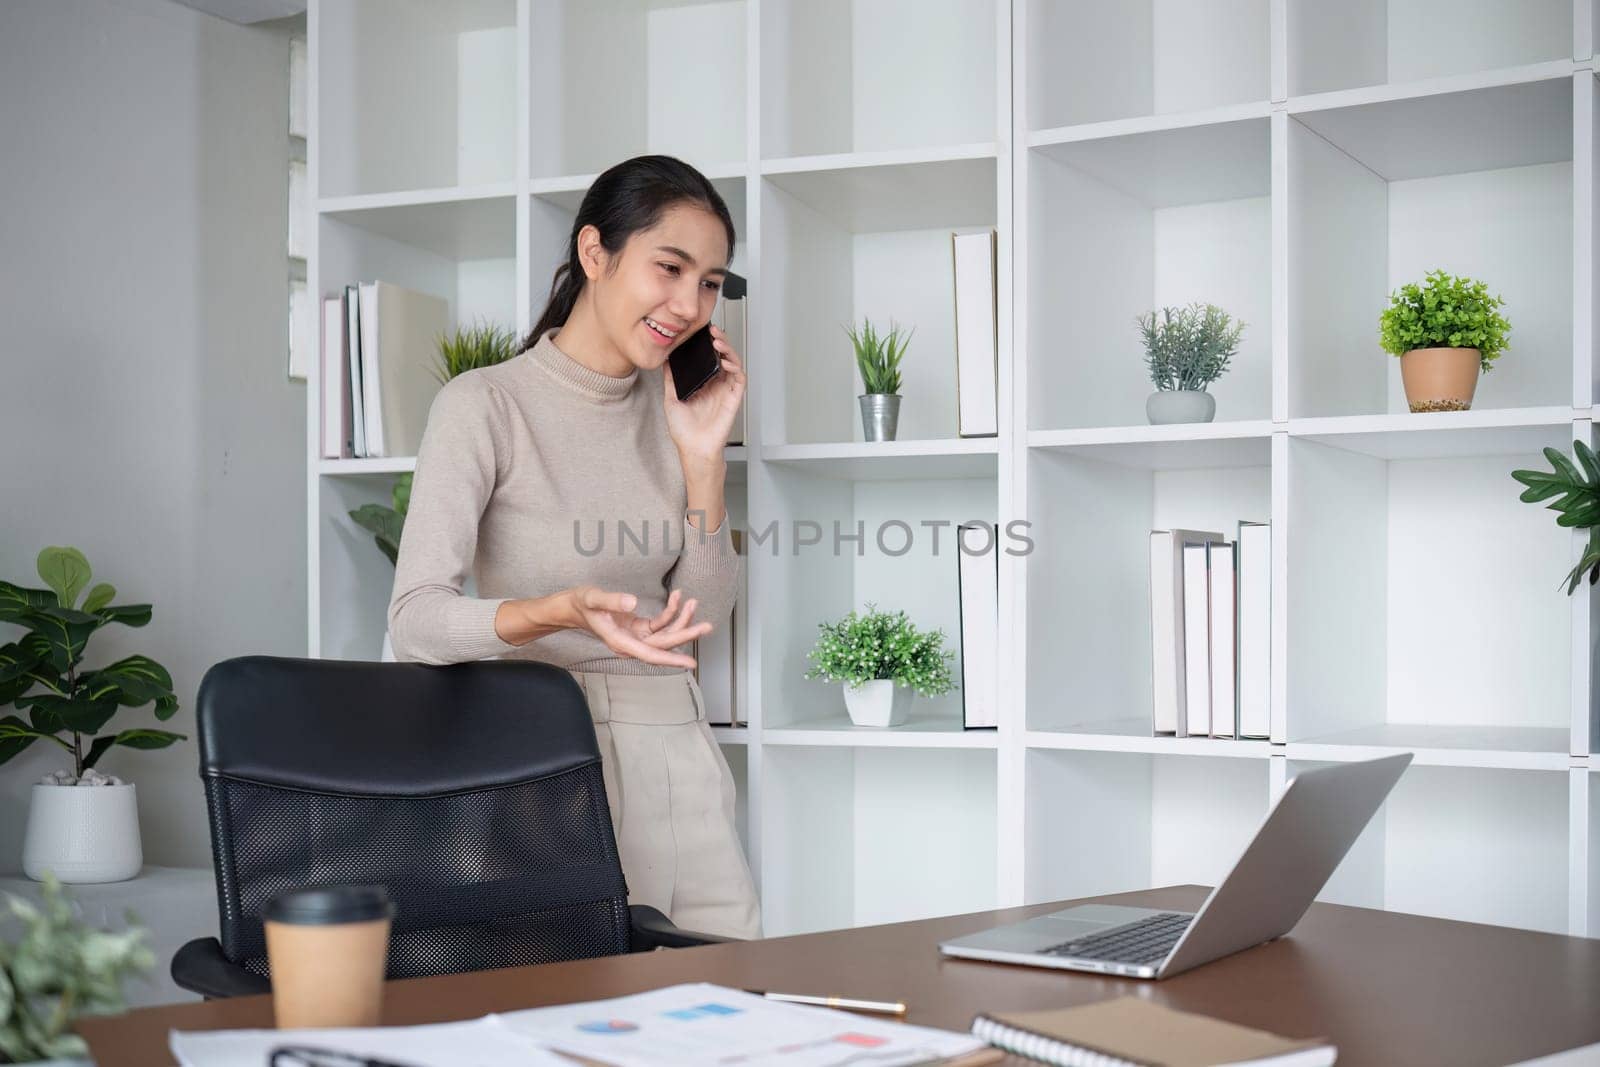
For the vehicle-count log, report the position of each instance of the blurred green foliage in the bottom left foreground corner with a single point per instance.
(55, 972)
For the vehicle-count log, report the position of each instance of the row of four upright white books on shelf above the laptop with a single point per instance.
(1212, 636)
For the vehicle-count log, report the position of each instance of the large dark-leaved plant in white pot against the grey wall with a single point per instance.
(79, 834)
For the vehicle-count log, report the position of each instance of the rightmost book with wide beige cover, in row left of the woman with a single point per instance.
(401, 335)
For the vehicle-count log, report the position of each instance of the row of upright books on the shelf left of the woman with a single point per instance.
(380, 346)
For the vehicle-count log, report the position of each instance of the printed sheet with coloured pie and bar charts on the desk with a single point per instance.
(702, 1025)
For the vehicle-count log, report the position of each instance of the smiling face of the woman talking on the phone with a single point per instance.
(665, 286)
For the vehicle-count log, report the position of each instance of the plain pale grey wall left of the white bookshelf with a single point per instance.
(145, 410)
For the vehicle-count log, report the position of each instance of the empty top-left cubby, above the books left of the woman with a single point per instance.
(415, 95)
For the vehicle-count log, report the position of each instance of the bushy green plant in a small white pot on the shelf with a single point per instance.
(881, 658)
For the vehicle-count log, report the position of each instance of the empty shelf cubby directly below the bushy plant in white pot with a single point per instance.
(876, 836)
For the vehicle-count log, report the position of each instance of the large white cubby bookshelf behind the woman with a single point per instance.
(1260, 154)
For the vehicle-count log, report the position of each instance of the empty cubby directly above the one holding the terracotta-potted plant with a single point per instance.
(1394, 42)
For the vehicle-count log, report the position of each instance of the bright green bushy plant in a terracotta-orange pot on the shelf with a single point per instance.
(1444, 332)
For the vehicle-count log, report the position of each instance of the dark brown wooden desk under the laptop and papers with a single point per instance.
(1390, 989)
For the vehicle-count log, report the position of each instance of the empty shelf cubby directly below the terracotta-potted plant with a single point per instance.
(1404, 567)
